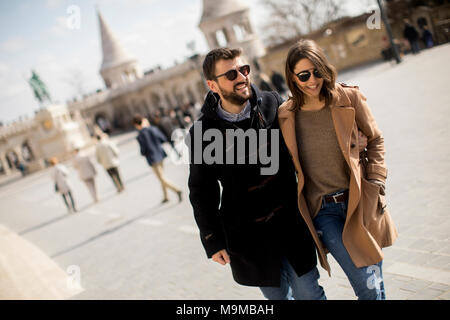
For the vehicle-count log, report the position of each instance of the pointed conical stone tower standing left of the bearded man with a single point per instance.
(118, 67)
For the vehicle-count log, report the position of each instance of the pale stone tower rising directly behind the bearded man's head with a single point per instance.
(226, 23)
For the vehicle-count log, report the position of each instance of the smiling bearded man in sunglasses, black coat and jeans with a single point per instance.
(253, 223)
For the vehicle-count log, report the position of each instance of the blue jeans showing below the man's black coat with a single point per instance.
(293, 287)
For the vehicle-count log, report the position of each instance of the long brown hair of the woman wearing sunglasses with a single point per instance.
(310, 50)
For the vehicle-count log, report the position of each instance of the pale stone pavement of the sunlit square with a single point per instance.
(128, 246)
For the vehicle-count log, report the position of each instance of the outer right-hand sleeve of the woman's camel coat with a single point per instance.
(376, 168)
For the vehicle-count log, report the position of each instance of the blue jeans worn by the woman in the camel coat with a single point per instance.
(367, 282)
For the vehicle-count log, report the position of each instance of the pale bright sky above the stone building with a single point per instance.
(43, 35)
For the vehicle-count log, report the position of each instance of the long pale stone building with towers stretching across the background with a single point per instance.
(128, 90)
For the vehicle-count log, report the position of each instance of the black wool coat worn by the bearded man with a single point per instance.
(254, 217)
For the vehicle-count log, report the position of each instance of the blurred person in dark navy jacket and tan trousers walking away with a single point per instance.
(150, 140)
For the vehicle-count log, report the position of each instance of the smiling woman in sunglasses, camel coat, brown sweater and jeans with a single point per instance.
(340, 191)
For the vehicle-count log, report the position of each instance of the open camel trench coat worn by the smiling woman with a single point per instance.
(368, 227)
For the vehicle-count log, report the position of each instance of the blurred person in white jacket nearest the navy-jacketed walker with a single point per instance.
(107, 155)
